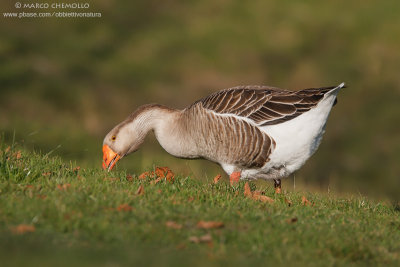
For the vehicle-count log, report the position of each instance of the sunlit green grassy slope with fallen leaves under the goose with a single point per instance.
(81, 224)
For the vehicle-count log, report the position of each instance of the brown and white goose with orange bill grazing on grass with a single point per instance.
(252, 132)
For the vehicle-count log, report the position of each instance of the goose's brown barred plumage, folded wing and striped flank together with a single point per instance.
(226, 124)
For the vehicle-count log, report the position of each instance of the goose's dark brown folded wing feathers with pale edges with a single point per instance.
(263, 104)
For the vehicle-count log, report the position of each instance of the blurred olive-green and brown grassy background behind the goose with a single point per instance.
(67, 82)
